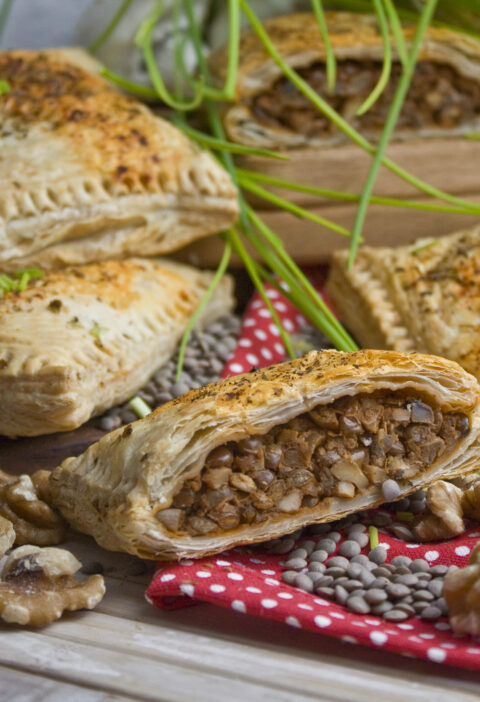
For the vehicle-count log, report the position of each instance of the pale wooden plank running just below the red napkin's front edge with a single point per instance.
(281, 668)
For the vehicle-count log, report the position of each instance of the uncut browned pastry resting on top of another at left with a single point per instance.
(88, 174)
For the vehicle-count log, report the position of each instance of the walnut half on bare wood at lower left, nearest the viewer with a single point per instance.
(38, 584)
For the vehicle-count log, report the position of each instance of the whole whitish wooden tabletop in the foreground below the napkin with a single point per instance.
(127, 650)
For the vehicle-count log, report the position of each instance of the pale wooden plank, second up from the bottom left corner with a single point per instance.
(122, 671)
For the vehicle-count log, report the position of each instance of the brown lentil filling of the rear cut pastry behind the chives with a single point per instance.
(438, 97)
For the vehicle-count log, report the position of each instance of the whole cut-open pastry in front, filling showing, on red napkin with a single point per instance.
(263, 454)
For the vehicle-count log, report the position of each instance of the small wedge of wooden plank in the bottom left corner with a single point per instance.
(27, 687)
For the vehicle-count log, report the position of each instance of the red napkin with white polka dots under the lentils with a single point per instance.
(248, 580)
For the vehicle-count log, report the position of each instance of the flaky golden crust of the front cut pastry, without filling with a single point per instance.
(120, 489)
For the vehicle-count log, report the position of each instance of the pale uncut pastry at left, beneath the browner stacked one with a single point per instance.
(83, 339)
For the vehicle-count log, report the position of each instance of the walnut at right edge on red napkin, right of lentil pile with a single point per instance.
(461, 590)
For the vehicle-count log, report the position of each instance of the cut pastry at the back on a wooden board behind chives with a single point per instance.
(268, 111)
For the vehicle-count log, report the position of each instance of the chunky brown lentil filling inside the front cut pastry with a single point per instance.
(340, 449)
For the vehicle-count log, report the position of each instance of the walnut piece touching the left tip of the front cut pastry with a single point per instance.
(33, 520)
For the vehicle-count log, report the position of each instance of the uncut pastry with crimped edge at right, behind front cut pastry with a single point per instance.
(414, 298)
